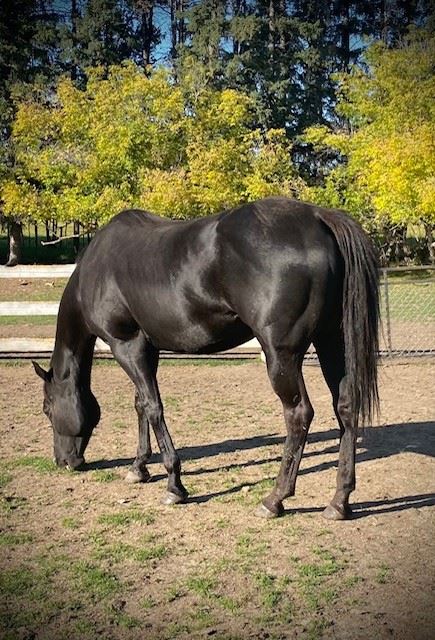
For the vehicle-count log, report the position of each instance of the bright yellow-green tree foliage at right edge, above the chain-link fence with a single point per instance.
(388, 177)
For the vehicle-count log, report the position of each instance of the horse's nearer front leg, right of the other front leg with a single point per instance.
(139, 360)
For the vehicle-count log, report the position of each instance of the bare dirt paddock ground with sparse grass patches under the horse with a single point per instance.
(86, 555)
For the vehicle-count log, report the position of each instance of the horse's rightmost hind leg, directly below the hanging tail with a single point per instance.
(330, 351)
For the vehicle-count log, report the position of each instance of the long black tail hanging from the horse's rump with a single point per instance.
(360, 318)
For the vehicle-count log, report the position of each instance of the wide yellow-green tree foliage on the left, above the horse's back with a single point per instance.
(131, 139)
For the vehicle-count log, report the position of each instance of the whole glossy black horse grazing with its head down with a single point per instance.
(286, 272)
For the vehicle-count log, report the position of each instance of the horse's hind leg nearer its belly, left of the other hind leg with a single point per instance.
(284, 369)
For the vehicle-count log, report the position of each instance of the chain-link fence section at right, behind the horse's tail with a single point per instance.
(407, 311)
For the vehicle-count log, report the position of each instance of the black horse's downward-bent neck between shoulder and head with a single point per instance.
(74, 345)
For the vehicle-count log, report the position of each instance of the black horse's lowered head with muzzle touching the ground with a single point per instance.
(73, 413)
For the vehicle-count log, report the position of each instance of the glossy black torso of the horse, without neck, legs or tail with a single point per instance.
(209, 283)
